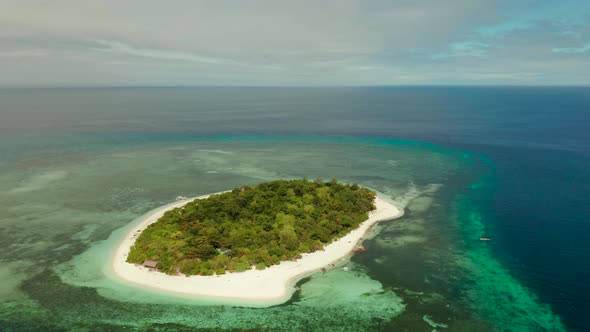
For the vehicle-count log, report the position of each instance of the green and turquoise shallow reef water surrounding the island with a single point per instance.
(64, 206)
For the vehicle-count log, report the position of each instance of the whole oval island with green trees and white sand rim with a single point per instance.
(251, 244)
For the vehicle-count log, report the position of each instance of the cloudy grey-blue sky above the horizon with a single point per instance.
(294, 43)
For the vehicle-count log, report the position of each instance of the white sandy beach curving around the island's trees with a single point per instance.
(273, 285)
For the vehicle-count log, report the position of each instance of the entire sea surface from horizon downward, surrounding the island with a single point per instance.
(78, 166)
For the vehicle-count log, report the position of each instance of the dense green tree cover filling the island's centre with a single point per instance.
(252, 226)
